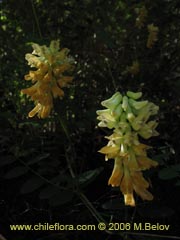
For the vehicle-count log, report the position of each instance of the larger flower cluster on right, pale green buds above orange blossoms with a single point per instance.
(128, 117)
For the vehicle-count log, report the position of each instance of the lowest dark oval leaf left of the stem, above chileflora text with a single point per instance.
(61, 198)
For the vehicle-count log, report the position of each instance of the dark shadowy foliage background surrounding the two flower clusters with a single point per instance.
(37, 155)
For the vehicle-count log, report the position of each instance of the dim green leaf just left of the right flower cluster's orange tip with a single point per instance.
(88, 176)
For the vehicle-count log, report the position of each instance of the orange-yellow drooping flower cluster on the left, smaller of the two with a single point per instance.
(52, 65)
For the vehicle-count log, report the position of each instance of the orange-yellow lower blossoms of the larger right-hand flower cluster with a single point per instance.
(127, 168)
